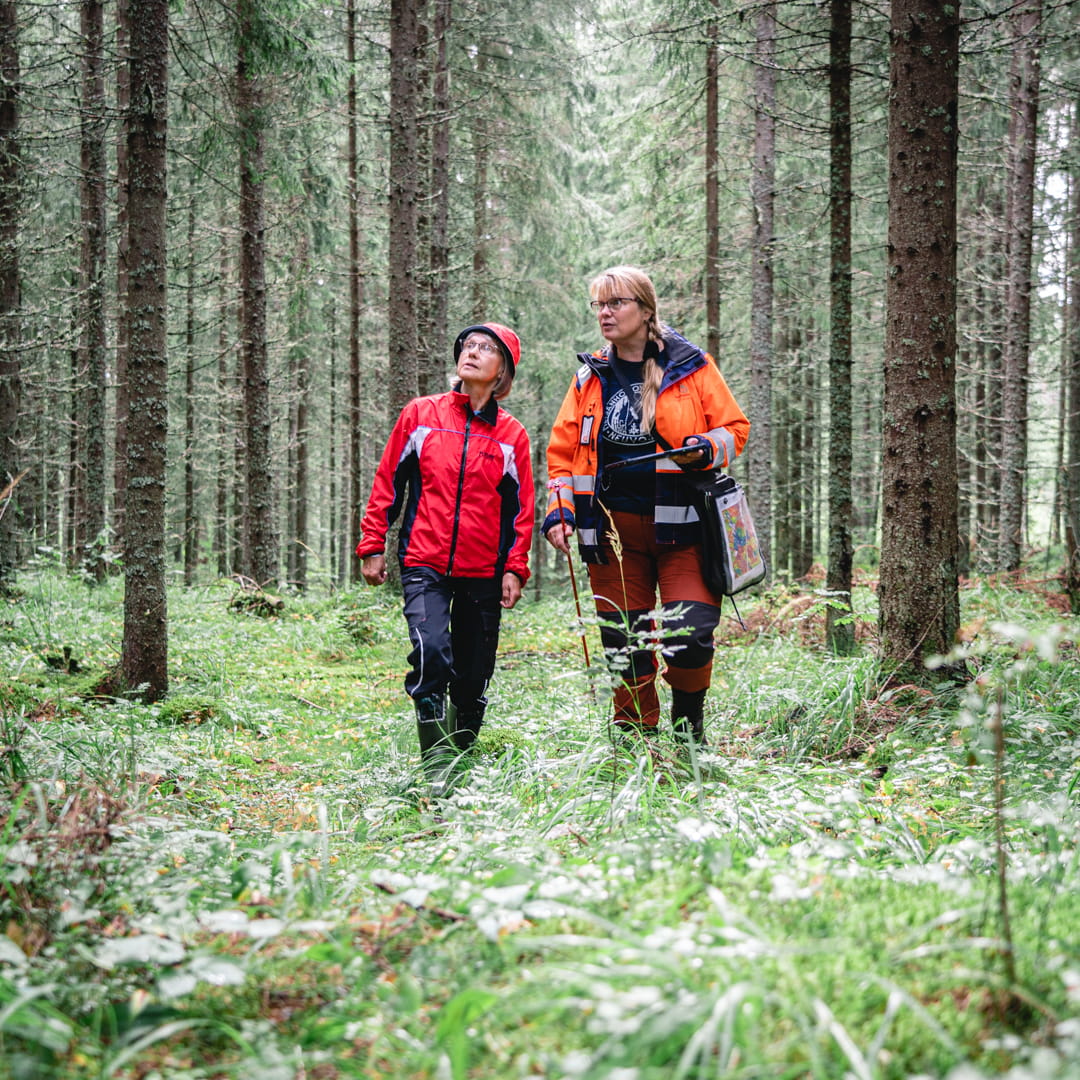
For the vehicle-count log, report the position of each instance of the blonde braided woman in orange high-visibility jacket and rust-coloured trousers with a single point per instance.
(647, 390)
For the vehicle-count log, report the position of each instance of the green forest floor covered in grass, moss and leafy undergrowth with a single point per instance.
(854, 880)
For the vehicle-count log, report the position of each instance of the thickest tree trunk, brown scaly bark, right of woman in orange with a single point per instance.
(919, 595)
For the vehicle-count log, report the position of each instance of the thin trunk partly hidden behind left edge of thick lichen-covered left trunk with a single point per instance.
(120, 375)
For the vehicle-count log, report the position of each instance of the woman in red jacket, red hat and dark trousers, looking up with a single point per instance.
(462, 469)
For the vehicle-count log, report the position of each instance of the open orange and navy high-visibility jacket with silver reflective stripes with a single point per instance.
(694, 400)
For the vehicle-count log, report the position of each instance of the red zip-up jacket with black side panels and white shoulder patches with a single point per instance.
(469, 512)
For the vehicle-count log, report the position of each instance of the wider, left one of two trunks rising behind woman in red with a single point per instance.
(402, 314)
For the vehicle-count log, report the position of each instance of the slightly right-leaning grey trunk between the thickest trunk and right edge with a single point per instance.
(1020, 210)
